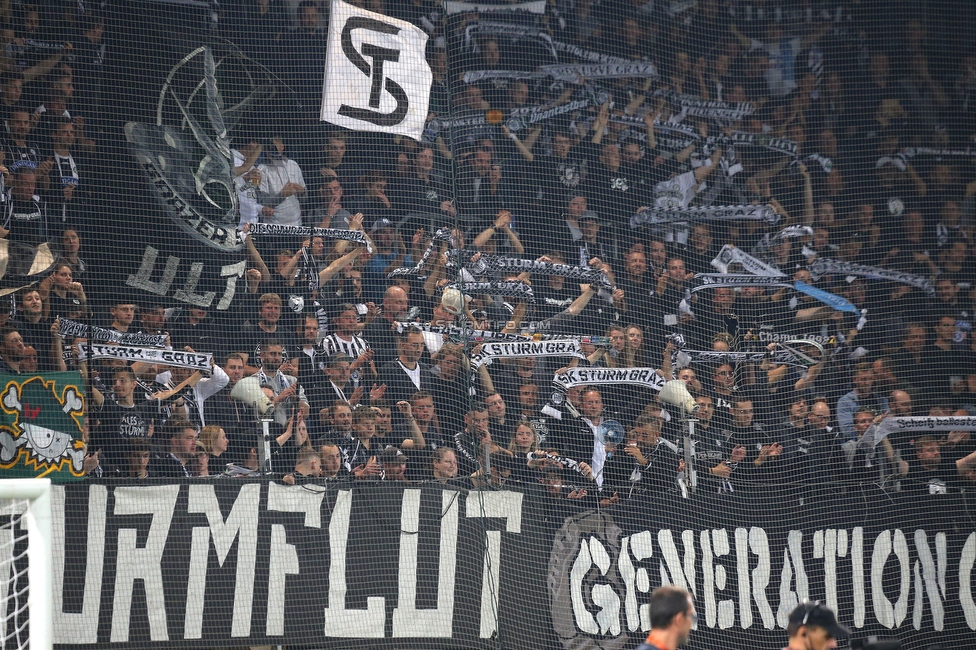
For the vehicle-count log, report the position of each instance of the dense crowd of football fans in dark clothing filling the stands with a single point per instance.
(860, 145)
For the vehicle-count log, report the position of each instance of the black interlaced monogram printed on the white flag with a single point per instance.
(374, 72)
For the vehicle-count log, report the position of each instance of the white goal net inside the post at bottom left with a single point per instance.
(14, 611)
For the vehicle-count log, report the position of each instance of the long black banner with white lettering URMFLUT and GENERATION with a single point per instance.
(567, 577)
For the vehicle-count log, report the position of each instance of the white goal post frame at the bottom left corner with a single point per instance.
(35, 521)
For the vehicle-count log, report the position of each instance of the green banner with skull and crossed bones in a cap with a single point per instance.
(41, 426)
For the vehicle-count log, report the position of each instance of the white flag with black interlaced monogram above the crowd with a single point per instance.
(376, 73)
